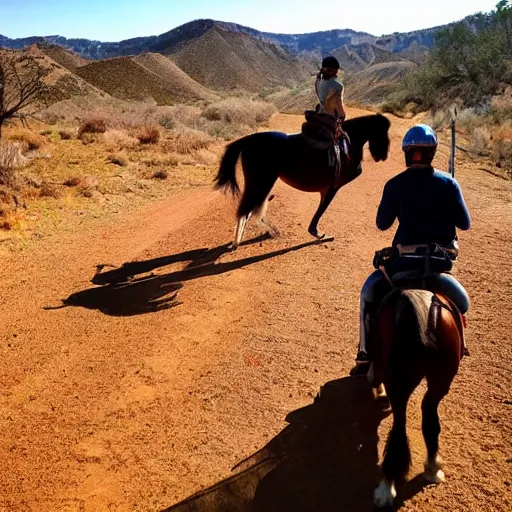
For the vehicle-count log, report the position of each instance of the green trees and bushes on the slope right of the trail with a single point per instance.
(471, 66)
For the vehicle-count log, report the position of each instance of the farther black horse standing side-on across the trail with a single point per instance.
(267, 156)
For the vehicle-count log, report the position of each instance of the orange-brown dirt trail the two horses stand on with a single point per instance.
(134, 397)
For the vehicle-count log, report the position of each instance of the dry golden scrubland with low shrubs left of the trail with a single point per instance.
(90, 154)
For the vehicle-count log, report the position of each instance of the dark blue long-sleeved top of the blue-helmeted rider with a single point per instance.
(428, 204)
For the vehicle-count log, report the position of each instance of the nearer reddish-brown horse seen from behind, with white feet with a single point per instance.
(417, 334)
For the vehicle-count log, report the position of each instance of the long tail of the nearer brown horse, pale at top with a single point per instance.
(412, 339)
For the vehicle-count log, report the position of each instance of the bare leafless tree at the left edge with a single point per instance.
(22, 89)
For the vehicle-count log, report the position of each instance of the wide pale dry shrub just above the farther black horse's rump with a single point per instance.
(240, 111)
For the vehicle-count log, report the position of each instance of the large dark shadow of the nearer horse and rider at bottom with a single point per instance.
(325, 459)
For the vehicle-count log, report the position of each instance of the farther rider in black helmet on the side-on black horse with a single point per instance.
(329, 91)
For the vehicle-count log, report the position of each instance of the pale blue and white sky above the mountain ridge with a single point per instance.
(114, 20)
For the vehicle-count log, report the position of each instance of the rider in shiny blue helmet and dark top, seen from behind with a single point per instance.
(429, 206)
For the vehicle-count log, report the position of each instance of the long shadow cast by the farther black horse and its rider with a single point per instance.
(121, 293)
